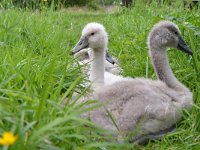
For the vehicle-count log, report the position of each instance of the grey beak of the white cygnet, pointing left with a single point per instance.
(82, 43)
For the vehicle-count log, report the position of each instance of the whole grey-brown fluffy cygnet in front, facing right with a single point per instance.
(143, 105)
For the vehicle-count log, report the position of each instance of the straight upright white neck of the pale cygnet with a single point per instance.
(97, 67)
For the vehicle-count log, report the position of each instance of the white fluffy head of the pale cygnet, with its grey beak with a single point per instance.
(93, 36)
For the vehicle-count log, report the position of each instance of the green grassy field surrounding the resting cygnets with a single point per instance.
(37, 74)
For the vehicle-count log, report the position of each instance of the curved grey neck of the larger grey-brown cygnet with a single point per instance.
(163, 69)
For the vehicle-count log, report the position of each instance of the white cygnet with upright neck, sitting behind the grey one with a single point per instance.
(94, 36)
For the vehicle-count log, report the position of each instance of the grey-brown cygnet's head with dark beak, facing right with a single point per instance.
(167, 34)
